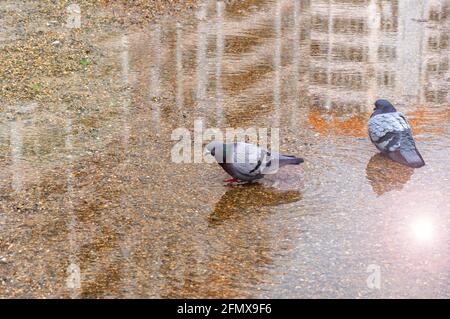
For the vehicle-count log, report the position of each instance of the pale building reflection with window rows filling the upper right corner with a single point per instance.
(361, 50)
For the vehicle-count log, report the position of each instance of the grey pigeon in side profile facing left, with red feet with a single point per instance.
(248, 162)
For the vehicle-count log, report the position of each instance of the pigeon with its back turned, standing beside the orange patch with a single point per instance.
(390, 132)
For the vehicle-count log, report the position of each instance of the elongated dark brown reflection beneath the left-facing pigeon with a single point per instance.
(244, 199)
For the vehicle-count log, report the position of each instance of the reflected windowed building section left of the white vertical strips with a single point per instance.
(339, 53)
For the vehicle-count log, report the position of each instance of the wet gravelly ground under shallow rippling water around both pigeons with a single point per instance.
(92, 206)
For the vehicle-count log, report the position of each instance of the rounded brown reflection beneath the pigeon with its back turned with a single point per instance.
(385, 175)
